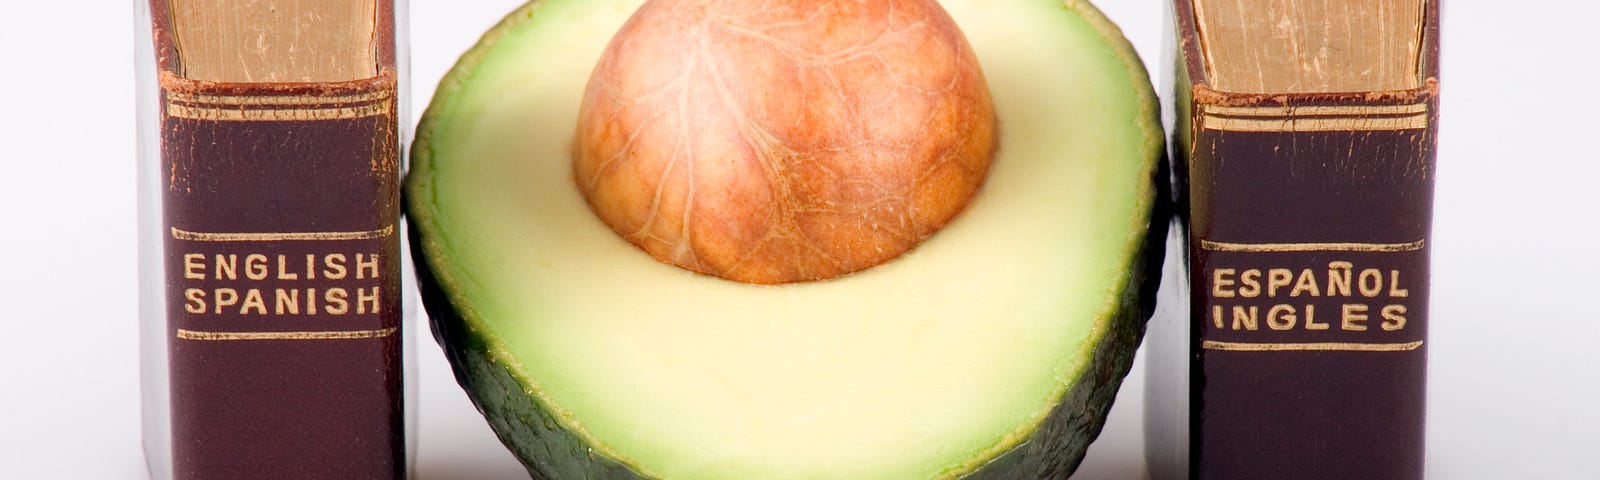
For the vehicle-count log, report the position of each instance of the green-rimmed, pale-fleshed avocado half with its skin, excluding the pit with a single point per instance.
(991, 351)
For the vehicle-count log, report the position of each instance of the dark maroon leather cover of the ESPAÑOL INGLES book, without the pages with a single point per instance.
(1310, 233)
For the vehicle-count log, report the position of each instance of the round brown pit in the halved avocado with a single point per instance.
(783, 142)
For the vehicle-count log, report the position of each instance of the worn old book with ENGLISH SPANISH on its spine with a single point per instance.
(279, 167)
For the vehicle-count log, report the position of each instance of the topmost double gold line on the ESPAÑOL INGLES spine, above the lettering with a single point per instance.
(1316, 118)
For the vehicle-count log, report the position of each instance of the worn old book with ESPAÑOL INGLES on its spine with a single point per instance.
(1305, 146)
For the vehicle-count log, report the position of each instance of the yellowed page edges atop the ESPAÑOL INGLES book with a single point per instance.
(1294, 52)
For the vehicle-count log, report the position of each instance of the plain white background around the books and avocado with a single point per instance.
(1514, 382)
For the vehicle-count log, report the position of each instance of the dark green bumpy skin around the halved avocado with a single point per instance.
(1052, 452)
